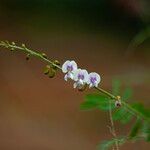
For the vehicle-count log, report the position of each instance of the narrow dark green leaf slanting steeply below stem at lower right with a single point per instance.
(135, 130)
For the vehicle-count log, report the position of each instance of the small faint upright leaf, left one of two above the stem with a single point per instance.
(116, 87)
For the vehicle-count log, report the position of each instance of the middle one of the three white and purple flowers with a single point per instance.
(80, 78)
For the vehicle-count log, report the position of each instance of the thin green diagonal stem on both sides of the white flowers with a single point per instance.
(36, 54)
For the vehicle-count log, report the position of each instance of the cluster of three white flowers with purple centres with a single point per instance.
(80, 76)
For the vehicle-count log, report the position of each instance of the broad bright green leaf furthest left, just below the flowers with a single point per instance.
(96, 101)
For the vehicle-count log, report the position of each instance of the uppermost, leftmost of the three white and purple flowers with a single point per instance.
(69, 67)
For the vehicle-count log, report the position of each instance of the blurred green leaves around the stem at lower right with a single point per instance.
(141, 127)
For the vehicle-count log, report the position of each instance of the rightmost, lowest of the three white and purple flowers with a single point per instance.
(94, 79)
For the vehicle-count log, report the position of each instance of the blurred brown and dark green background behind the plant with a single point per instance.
(106, 36)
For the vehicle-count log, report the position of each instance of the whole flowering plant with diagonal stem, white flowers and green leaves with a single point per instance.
(116, 104)
